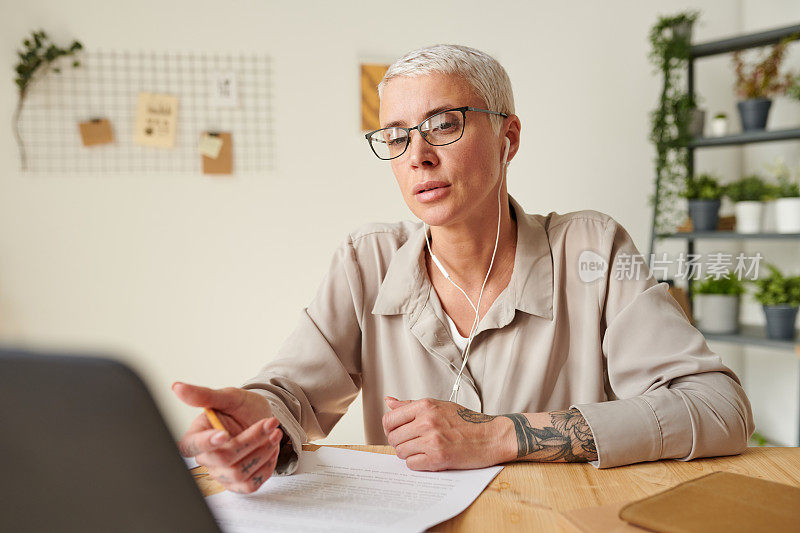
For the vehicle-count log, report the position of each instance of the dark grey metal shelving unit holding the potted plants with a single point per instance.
(748, 335)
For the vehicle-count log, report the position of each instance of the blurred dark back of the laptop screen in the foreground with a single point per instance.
(84, 448)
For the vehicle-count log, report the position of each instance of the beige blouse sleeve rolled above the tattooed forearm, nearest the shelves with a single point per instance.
(673, 398)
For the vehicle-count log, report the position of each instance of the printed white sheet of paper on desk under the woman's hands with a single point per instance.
(345, 490)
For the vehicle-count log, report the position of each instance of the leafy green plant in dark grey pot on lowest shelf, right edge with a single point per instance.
(779, 296)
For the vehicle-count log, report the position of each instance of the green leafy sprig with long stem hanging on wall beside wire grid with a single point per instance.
(39, 56)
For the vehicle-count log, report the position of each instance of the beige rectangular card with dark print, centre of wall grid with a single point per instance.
(156, 120)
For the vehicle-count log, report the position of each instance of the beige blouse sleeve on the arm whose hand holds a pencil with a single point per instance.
(317, 371)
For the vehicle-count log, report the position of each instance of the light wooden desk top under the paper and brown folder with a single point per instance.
(530, 496)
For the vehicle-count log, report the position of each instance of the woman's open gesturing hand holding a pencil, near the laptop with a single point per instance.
(242, 458)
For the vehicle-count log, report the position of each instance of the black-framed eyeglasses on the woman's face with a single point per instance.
(445, 127)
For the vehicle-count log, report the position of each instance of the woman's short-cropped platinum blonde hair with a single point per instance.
(486, 75)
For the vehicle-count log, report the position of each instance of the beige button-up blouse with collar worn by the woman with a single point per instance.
(567, 331)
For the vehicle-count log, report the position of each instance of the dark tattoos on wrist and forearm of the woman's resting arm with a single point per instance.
(569, 439)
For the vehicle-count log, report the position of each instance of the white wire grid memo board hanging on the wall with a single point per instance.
(107, 85)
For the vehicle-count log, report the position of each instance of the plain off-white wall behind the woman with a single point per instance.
(201, 279)
